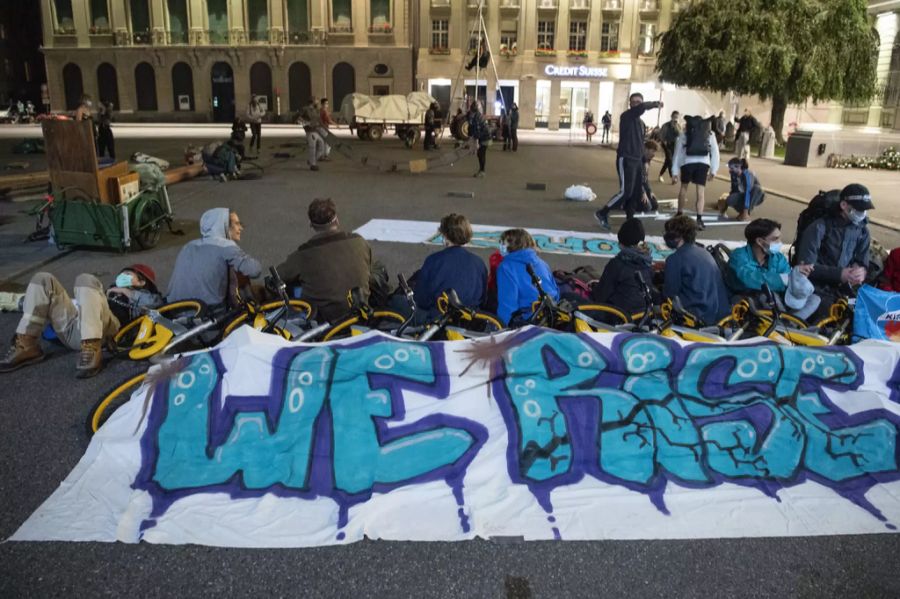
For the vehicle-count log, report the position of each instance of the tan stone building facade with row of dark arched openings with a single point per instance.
(201, 60)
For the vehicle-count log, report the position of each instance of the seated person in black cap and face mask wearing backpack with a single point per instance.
(837, 244)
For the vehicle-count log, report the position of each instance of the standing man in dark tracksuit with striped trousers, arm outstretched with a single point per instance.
(629, 160)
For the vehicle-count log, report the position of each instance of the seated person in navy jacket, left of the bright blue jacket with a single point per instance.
(454, 267)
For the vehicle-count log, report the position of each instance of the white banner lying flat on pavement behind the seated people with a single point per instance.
(551, 241)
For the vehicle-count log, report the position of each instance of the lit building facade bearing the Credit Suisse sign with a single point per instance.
(556, 59)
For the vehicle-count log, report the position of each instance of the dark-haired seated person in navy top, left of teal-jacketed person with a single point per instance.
(692, 274)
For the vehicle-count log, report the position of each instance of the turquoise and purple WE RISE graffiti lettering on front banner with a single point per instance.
(642, 413)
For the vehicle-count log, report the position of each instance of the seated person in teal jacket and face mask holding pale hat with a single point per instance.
(761, 262)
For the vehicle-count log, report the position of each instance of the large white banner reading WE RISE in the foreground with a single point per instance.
(532, 434)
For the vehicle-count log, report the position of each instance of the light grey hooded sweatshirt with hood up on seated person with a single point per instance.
(202, 266)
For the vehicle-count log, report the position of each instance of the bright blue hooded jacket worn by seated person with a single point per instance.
(515, 291)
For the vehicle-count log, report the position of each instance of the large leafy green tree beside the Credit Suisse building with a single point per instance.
(784, 50)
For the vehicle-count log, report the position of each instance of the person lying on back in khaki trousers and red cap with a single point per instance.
(95, 320)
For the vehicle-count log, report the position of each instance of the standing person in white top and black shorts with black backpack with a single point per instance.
(696, 161)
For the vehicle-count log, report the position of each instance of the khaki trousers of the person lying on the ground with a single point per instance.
(46, 300)
